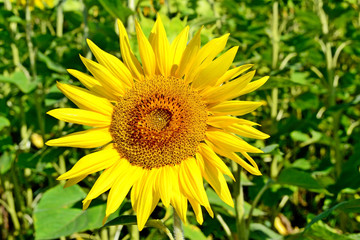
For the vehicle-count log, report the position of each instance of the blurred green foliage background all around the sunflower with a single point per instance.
(310, 184)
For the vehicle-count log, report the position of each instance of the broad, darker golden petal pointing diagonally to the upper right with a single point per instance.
(217, 68)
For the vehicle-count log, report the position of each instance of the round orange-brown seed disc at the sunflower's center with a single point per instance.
(158, 122)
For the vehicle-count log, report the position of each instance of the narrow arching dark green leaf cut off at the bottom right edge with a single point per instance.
(346, 206)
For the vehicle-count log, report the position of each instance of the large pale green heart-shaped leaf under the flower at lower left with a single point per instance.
(59, 213)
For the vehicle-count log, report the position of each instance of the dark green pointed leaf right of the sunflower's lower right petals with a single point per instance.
(292, 176)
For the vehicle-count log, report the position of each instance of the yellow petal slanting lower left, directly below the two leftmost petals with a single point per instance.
(91, 163)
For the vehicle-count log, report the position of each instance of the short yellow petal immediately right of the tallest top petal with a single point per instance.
(177, 48)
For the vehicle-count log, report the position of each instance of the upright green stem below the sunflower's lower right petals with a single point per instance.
(242, 231)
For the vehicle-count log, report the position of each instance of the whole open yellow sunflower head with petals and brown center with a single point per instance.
(161, 125)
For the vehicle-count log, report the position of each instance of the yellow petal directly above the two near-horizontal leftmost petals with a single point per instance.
(85, 99)
